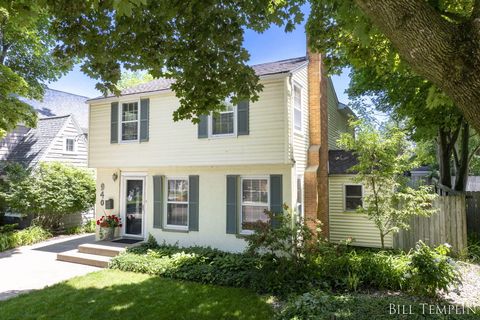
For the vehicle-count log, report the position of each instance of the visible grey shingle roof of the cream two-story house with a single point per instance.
(264, 69)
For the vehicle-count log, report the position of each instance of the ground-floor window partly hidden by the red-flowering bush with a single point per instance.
(255, 200)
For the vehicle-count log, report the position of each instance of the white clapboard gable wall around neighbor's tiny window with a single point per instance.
(56, 150)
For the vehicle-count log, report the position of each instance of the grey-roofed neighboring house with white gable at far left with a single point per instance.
(60, 134)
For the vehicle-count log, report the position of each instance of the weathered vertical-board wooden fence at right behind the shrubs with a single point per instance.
(448, 225)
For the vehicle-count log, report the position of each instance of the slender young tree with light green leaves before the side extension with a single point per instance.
(384, 156)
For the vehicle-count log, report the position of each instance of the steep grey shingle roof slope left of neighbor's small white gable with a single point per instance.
(30, 150)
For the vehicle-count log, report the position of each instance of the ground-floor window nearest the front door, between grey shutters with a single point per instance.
(177, 202)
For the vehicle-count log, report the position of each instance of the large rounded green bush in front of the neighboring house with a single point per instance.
(50, 192)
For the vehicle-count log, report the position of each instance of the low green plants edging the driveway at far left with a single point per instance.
(31, 235)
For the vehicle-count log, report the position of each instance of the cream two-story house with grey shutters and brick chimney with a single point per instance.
(202, 184)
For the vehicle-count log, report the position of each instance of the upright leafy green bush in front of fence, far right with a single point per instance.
(432, 269)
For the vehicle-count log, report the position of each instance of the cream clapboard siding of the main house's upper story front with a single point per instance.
(176, 143)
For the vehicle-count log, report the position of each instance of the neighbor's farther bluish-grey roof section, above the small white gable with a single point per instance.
(58, 103)
